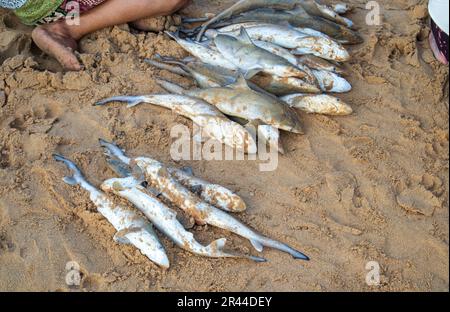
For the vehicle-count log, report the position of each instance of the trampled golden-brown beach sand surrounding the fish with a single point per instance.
(372, 186)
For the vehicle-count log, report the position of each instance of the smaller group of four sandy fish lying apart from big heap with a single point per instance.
(150, 187)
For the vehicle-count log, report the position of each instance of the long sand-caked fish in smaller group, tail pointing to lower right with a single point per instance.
(202, 212)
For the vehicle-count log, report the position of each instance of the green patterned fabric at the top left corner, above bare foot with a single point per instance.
(35, 10)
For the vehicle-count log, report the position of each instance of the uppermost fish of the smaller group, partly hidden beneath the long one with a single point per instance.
(213, 194)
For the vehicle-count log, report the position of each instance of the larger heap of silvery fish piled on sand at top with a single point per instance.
(255, 64)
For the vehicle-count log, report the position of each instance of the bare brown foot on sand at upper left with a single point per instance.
(55, 40)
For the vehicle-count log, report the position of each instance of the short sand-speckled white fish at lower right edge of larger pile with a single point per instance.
(318, 104)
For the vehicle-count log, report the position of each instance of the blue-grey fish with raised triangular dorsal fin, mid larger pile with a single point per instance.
(250, 59)
